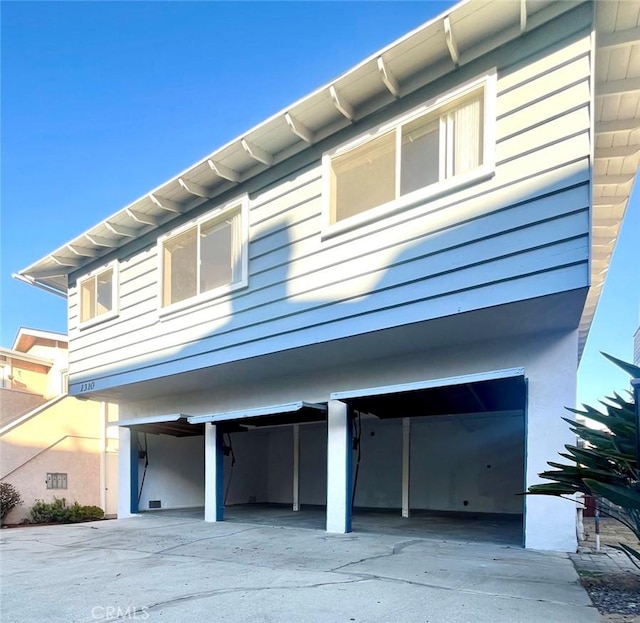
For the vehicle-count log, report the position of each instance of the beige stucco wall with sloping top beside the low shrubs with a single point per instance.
(67, 437)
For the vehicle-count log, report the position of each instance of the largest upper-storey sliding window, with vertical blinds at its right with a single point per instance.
(442, 145)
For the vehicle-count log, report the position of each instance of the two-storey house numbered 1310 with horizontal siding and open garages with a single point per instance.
(378, 297)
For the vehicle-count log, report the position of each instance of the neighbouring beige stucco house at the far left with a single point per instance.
(52, 444)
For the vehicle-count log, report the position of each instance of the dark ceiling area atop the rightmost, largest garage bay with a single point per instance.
(490, 396)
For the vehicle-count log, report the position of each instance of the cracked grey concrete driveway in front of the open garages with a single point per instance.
(173, 569)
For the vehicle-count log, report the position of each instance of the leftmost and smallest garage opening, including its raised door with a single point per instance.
(167, 464)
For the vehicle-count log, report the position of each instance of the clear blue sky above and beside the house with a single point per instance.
(102, 101)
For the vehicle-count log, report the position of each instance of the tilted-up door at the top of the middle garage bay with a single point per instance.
(273, 415)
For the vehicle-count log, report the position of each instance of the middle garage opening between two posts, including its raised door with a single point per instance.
(274, 464)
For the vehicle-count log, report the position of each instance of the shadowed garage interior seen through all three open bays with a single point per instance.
(444, 462)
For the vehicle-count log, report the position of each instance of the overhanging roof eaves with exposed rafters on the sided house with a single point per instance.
(465, 32)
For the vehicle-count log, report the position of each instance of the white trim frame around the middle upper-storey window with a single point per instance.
(218, 213)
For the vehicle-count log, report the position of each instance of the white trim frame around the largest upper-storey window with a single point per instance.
(485, 171)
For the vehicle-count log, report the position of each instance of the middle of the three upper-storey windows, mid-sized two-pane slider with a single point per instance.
(206, 258)
